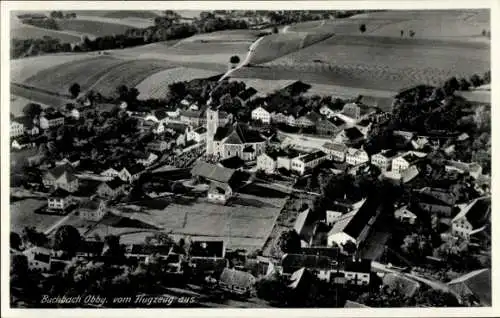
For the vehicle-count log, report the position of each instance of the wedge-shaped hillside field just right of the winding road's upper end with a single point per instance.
(277, 45)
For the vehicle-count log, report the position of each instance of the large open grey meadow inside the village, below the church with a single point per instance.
(244, 223)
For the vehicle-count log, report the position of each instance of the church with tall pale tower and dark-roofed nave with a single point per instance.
(233, 139)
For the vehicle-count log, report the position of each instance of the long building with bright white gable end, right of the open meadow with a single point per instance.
(354, 226)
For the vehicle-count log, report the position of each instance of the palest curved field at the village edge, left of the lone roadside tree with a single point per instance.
(156, 85)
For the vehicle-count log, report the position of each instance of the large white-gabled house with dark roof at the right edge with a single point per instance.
(472, 218)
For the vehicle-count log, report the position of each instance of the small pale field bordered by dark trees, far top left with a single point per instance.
(96, 28)
